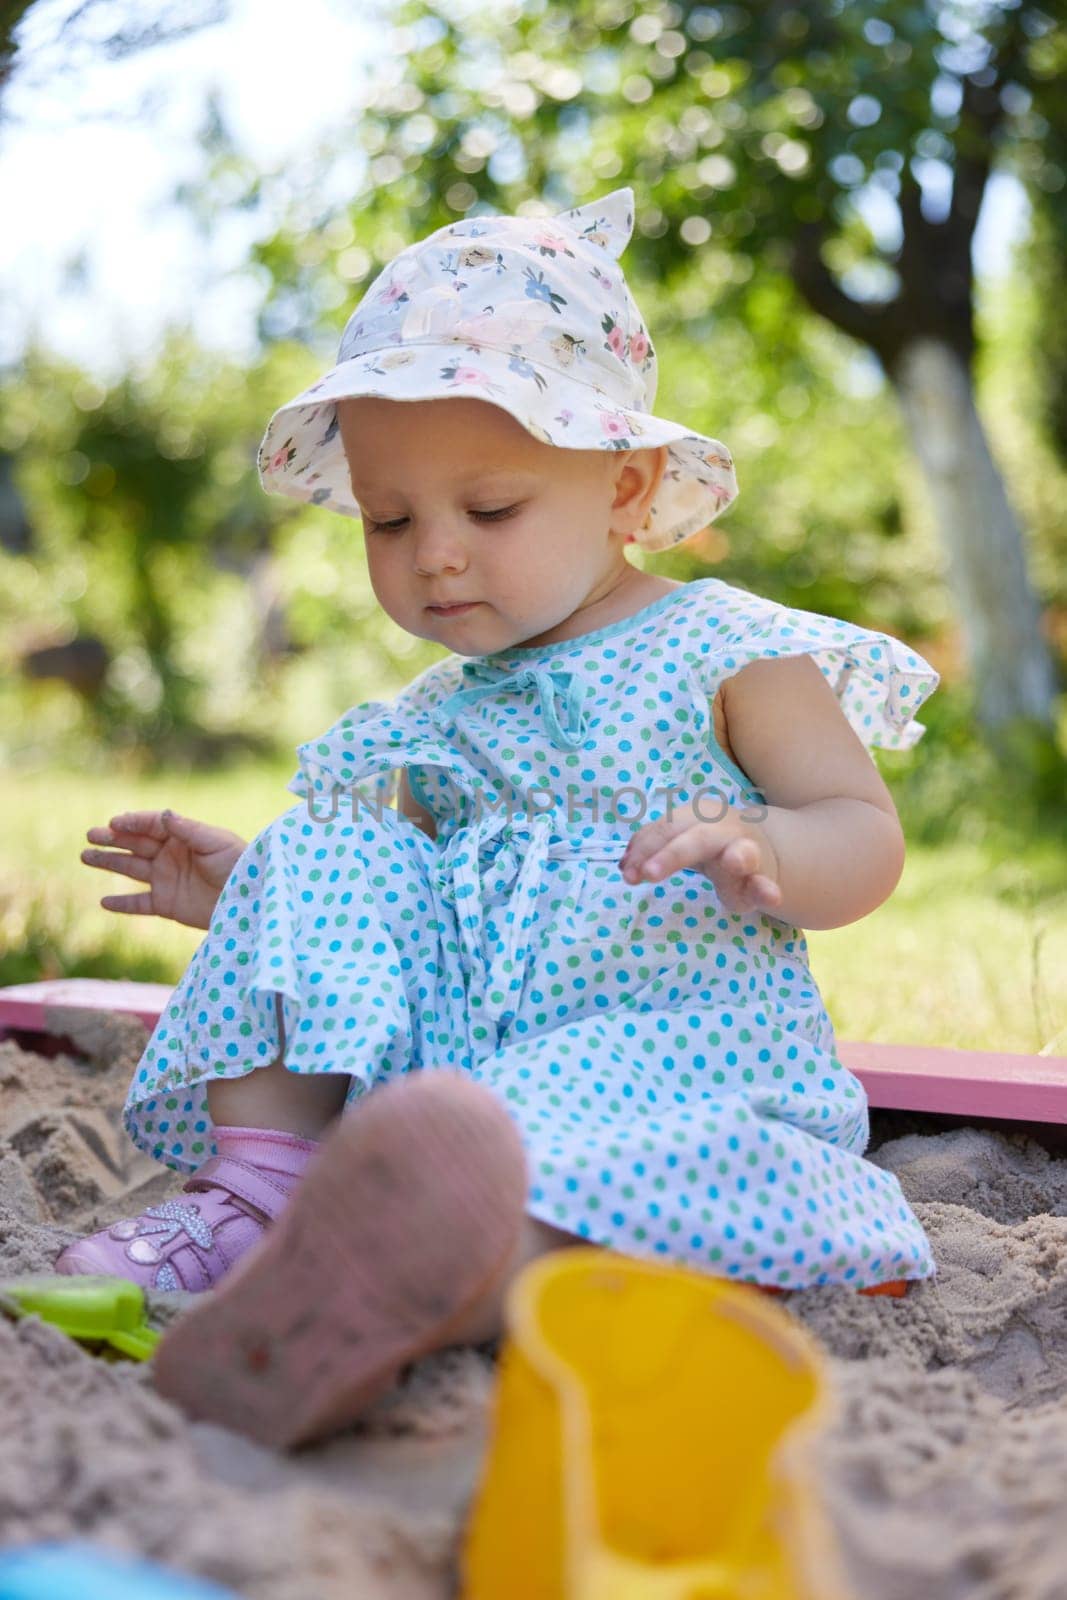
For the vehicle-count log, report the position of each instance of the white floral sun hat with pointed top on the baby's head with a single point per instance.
(532, 314)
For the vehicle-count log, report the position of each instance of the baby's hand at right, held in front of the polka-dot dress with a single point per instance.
(735, 855)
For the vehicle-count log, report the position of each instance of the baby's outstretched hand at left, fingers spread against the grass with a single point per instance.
(185, 863)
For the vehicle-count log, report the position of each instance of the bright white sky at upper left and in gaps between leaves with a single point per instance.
(90, 162)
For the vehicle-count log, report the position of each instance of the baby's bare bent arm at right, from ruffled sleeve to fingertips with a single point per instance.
(831, 839)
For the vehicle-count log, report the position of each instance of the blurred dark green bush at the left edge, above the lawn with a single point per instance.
(146, 490)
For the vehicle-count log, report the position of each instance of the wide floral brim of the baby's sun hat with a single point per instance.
(302, 454)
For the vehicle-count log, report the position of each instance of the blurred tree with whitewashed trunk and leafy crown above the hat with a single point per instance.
(842, 146)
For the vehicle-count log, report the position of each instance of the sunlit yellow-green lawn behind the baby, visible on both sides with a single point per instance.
(970, 951)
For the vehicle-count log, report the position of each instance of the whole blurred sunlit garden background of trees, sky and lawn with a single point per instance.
(193, 207)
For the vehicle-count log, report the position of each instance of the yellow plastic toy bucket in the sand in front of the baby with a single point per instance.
(650, 1442)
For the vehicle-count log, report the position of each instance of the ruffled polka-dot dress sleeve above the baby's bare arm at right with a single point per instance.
(881, 682)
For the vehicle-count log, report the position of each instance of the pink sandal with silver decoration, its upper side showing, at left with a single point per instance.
(191, 1246)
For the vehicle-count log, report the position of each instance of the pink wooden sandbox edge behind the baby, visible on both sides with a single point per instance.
(897, 1078)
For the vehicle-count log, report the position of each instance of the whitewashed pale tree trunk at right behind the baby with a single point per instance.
(1002, 628)
